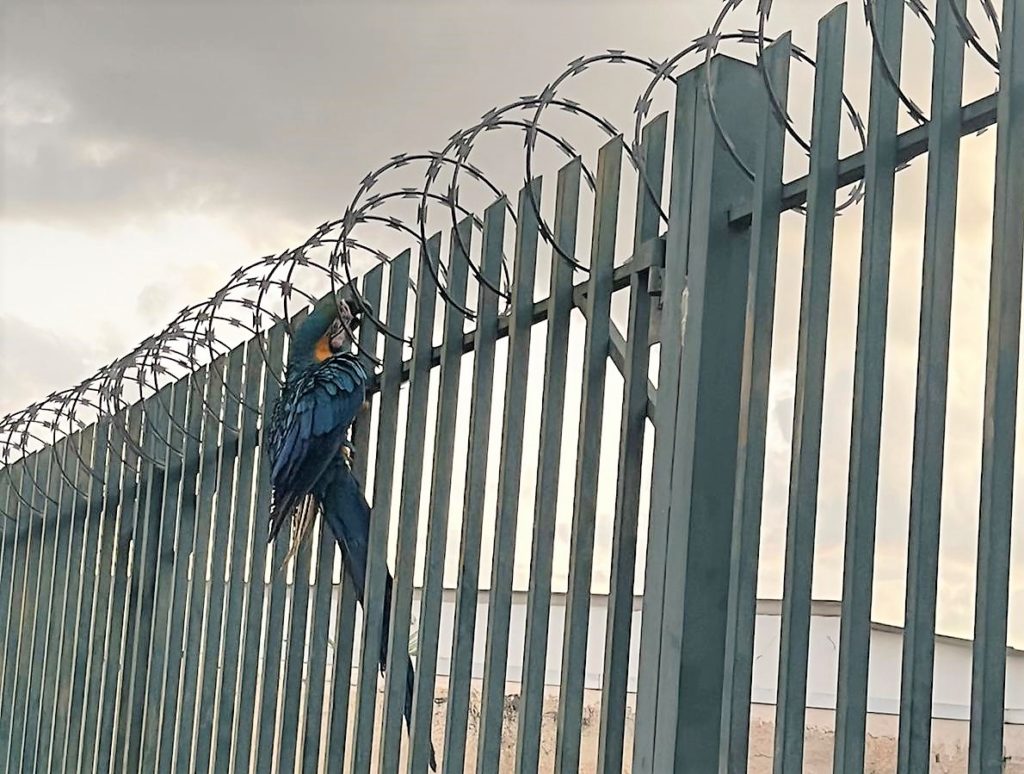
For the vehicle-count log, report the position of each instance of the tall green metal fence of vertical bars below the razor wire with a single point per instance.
(147, 627)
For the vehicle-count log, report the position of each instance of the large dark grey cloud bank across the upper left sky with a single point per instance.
(270, 108)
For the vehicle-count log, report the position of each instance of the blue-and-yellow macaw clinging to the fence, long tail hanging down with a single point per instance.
(311, 454)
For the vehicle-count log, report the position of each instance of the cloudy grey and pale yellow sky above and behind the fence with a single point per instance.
(148, 151)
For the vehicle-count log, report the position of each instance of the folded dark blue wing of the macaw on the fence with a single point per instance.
(309, 426)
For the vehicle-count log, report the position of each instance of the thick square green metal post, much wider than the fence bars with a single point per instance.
(705, 298)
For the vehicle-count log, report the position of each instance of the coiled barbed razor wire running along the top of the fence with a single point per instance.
(271, 290)
